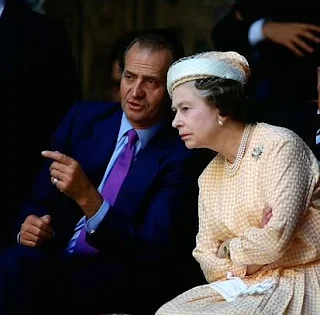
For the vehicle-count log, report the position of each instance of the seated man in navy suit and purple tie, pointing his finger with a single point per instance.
(99, 241)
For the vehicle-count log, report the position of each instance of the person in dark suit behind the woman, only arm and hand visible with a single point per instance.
(281, 40)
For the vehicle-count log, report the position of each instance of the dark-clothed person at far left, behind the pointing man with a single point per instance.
(38, 85)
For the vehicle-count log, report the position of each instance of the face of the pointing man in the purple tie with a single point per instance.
(143, 86)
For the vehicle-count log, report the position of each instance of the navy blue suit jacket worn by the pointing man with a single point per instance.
(154, 219)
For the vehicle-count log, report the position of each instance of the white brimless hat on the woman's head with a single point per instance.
(225, 65)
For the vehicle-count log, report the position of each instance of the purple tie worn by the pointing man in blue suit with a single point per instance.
(111, 187)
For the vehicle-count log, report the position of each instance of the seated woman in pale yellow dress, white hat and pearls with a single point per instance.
(255, 261)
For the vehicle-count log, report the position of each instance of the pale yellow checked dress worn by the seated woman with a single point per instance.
(277, 170)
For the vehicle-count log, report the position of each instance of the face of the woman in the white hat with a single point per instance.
(196, 120)
